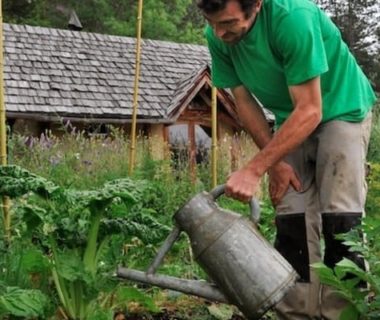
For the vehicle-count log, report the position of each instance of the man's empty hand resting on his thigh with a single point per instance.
(281, 176)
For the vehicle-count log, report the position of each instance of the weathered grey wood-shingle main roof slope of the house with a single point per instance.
(71, 73)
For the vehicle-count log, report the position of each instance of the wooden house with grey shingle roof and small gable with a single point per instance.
(54, 77)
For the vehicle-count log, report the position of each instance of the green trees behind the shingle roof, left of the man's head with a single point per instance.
(175, 20)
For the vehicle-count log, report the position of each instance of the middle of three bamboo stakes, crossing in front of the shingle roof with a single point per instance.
(136, 88)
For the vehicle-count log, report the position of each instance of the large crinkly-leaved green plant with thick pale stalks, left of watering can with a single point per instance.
(75, 231)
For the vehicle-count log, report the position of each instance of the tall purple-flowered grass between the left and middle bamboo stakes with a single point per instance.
(72, 159)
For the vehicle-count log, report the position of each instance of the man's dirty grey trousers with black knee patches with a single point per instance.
(331, 166)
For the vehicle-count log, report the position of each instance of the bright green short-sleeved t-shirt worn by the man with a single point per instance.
(293, 41)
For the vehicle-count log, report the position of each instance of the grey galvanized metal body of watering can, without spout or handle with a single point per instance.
(246, 268)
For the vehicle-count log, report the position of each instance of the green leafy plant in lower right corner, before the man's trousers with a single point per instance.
(364, 303)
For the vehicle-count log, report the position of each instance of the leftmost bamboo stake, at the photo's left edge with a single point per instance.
(3, 131)
